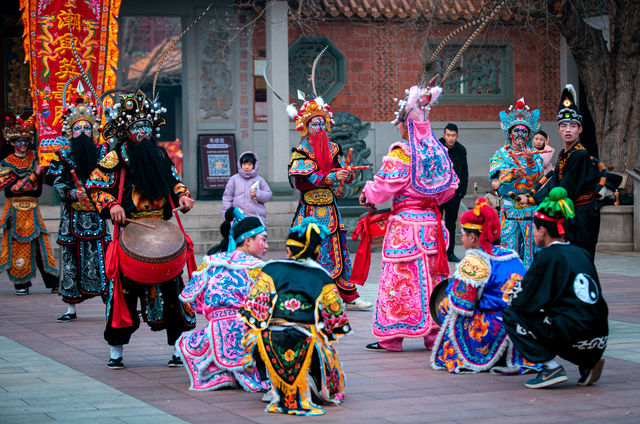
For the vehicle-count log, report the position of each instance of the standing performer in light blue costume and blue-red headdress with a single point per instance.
(519, 169)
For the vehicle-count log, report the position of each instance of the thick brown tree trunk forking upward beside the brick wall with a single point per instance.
(609, 77)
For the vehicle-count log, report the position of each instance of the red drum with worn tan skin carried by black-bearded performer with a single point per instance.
(152, 256)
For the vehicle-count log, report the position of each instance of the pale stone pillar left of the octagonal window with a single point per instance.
(278, 120)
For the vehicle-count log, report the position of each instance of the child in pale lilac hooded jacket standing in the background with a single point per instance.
(246, 189)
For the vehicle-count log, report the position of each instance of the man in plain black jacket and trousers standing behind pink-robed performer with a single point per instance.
(458, 156)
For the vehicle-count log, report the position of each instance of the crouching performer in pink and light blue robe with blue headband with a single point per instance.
(214, 355)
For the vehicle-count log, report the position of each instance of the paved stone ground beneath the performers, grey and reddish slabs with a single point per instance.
(56, 372)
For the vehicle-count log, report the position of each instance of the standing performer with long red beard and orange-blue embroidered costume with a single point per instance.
(316, 166)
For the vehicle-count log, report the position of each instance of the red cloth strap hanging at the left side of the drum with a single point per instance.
(120, 317)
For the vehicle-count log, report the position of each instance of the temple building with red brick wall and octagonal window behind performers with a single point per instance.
(213, 87)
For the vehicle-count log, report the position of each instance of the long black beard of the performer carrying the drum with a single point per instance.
(150, 170)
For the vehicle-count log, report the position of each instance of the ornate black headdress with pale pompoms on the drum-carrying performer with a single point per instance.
(132, 108)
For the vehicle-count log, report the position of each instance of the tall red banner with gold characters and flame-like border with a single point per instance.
(49, 25)
